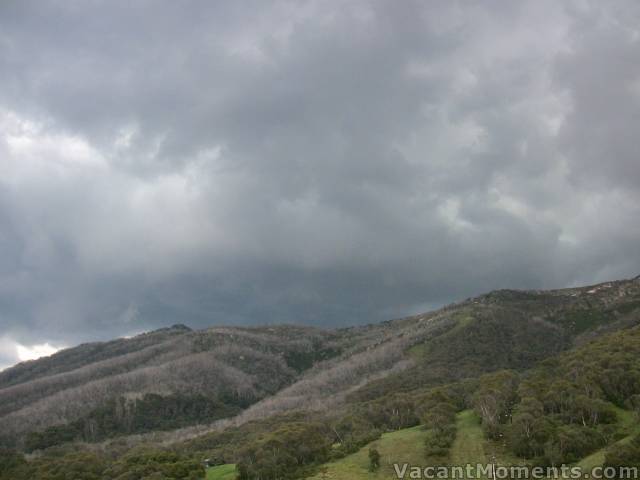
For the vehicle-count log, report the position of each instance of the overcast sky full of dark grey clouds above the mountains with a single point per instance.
(324, 163)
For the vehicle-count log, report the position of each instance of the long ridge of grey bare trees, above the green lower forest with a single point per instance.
(259, 371)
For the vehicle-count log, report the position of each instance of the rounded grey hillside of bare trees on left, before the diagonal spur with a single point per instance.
(164, 370)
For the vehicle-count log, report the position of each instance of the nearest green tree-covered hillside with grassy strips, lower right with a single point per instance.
(579, 408)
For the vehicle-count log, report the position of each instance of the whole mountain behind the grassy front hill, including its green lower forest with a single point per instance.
(222, 391)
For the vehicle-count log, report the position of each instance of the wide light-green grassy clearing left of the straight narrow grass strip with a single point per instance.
(396, 447)
